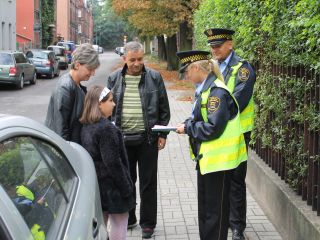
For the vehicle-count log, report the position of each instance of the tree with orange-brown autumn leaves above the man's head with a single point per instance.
(162, 18)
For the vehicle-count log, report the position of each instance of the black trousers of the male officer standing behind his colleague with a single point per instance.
(238, 195)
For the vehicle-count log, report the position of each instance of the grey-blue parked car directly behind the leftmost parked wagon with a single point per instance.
(45, 61)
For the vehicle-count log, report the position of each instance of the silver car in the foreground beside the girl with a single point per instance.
(48, 186)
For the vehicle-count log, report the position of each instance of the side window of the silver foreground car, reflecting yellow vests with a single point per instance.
(39, 180)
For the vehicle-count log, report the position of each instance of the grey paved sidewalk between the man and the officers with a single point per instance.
(177, 194)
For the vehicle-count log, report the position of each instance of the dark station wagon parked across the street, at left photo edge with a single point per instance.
(16, 69)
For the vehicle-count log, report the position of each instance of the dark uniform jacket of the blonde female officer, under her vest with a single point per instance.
(219, 113)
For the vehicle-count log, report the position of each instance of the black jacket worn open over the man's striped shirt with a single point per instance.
(153, 95)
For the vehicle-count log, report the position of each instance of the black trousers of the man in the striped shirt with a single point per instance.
(146, 156)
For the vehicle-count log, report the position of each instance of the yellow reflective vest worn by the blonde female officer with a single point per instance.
(229, 150)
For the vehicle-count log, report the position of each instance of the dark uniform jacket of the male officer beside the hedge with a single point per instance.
(243, 83)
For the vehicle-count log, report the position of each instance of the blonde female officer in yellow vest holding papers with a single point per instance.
(216, 141)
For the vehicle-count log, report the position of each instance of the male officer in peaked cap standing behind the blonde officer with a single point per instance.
(239, 77)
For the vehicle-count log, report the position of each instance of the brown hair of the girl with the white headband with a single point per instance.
(91, 111)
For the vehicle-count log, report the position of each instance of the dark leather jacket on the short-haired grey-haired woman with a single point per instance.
(65, 109)
